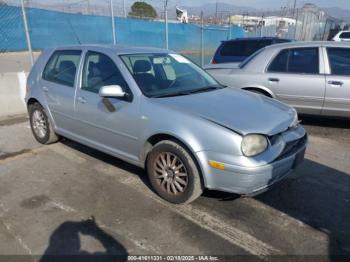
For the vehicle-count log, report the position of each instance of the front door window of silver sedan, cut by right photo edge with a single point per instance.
(339, 61)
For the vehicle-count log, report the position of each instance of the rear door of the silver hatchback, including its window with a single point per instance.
(58, 84)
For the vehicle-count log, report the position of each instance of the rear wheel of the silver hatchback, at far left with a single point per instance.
(40, 125)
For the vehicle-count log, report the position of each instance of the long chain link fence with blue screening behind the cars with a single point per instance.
(37, 24)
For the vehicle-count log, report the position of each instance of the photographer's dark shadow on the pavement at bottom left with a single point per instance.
(65, 244)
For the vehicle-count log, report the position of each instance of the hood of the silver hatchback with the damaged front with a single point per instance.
(235, 109)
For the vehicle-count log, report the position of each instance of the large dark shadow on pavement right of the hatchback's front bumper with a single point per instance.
(319, 196)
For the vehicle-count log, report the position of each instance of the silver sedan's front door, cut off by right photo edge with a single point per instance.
(337, 100)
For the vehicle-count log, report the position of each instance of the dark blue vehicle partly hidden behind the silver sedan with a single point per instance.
(237, 50)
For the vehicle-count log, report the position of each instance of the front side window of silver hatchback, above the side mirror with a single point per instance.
(100, 70)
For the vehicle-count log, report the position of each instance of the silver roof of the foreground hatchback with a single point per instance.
(119, 49)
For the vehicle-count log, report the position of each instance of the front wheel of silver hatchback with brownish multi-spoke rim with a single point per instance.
(173, 173)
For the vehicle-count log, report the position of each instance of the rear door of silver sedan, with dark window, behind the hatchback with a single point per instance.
(295, 78)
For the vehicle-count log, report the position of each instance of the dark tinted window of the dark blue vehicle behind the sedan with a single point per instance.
(243, 48)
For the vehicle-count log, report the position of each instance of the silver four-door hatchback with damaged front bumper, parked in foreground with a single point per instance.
(157, 110)
